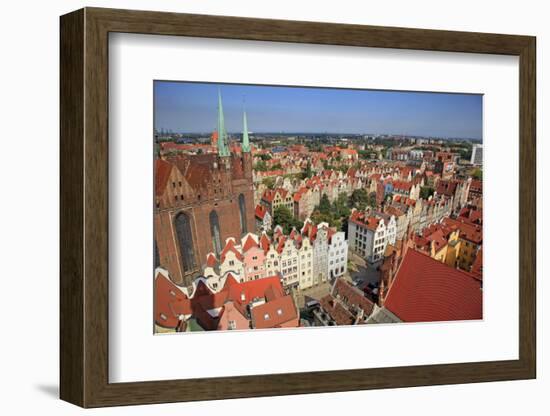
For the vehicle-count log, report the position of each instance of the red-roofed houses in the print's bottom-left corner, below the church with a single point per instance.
(235, 305)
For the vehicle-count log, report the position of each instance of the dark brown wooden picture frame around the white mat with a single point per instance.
(84, 207)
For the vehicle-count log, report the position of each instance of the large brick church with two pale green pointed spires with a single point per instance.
(200, 201)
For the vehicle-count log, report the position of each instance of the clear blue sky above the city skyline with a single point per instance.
(191, 107)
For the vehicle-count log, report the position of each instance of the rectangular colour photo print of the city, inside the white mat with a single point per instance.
(296, 207)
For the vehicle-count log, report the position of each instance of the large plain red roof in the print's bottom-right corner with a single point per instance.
(426, 290)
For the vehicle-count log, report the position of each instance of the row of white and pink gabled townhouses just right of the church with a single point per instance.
(302, 259)
